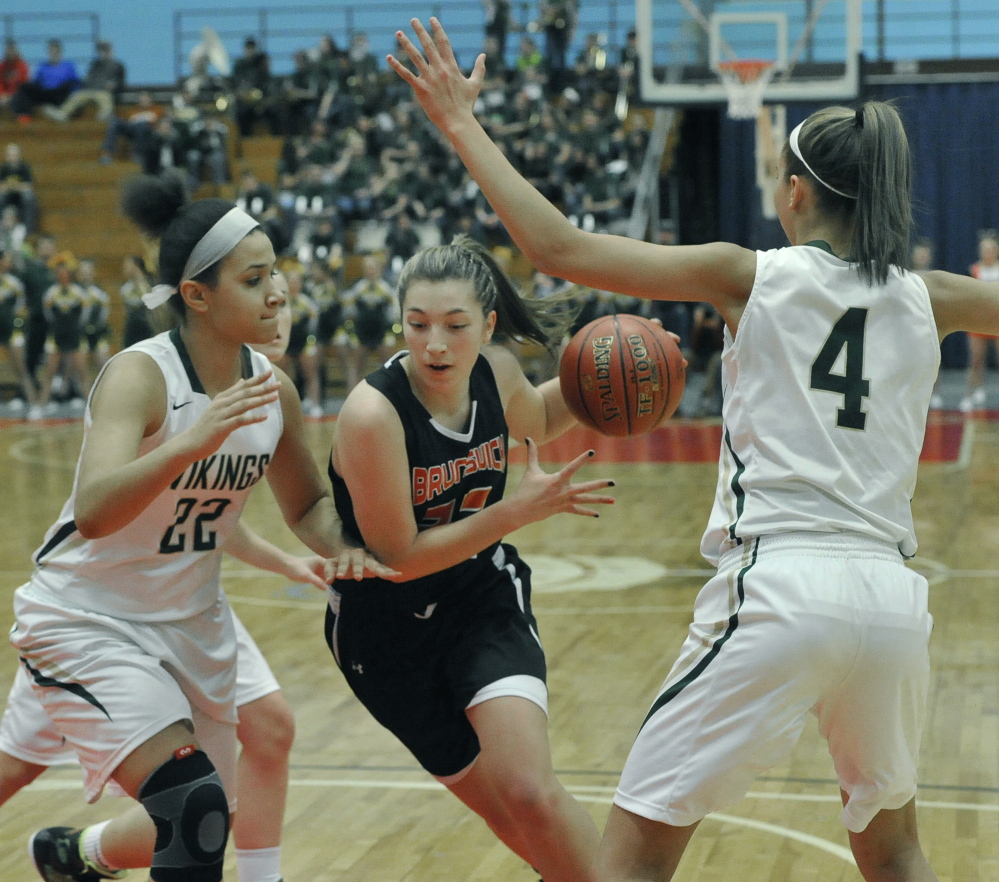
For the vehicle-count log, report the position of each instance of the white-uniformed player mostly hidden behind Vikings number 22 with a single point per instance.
(29, 743)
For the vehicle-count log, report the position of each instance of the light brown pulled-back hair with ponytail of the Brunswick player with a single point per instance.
(542, 321)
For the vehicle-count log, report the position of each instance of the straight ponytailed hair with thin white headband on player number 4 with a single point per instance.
(860, 162)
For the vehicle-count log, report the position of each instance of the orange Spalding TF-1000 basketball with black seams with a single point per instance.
(622, 375)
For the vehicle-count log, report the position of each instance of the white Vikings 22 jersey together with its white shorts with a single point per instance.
(154, 582)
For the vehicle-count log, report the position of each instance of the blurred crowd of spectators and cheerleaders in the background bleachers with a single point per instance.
(362, 172)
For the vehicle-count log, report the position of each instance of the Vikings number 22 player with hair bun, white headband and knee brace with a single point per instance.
(123, 627)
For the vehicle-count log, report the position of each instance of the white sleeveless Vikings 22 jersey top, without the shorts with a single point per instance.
(165, 564)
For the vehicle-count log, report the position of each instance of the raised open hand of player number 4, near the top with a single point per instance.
(440, 87)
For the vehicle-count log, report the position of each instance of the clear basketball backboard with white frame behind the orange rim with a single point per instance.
(815, 46)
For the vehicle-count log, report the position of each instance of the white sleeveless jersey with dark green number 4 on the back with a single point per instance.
(826, 390)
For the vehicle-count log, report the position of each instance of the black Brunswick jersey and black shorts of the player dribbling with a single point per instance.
(419, 653)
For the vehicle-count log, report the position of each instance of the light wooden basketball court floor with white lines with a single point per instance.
(613, 598)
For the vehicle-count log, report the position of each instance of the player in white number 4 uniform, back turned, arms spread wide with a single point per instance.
(831, 349)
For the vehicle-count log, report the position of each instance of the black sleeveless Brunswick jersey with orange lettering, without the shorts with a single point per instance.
(452, 475)
